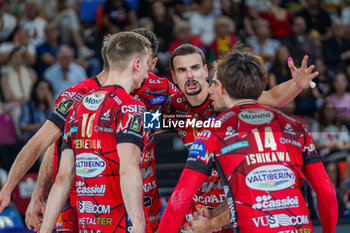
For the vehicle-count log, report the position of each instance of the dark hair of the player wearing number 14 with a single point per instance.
(242, 74)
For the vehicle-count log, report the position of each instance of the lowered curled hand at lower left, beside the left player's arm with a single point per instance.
(35, 210)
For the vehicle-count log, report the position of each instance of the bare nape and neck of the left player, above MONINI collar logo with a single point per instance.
(120, 78)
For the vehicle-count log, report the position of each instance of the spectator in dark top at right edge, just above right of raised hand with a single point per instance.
(336, 50)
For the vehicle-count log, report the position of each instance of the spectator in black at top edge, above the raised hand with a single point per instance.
(317, 19)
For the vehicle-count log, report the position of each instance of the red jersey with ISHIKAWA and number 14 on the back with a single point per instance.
(259, 153)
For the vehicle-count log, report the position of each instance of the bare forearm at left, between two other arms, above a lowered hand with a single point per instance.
(45, 174)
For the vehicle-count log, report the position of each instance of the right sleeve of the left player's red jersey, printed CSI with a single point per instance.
(130, 124)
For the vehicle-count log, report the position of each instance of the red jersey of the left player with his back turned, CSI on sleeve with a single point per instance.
(100, 121)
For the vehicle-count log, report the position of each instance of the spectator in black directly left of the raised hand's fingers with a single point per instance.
(279, 71)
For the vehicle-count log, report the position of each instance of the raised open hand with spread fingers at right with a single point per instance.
(302, 76)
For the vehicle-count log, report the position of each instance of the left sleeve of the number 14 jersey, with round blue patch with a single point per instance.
(202, 152)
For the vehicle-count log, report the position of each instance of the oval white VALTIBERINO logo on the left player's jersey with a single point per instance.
(89, 165)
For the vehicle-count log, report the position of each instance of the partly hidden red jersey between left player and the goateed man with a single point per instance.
(153, 93)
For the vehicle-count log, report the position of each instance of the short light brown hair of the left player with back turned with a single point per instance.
(124, 46)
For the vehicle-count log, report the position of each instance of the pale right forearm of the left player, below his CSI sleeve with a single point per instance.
(131, 186)
